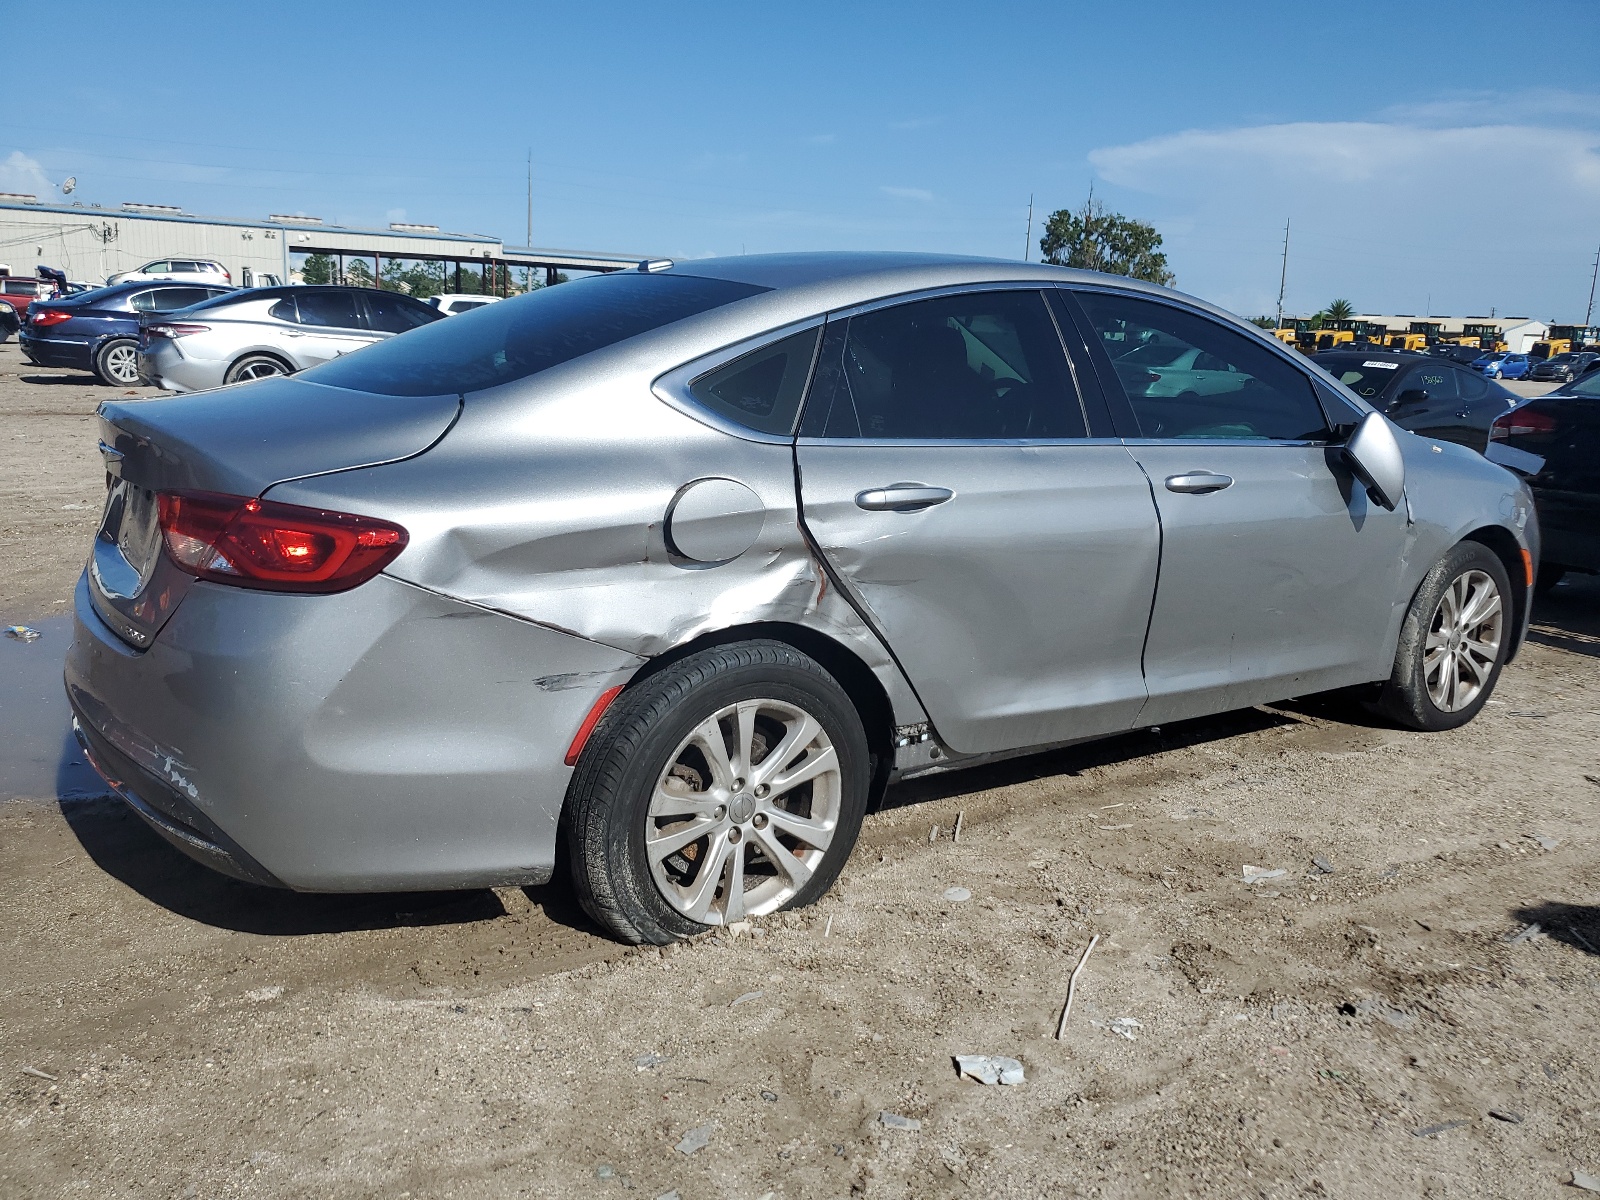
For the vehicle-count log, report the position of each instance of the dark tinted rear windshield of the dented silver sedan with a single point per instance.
(527, 335)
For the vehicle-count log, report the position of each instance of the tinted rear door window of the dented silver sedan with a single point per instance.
(985, 366)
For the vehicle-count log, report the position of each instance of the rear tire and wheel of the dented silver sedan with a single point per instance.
(726, 786)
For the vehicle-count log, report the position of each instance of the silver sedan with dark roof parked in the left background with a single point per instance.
(252, 335)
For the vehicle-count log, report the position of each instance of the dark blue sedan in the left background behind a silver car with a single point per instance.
(100, 330)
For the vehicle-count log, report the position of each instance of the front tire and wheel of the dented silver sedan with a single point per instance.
(1454, 642)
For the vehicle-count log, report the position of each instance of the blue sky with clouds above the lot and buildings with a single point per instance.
(1433, 158)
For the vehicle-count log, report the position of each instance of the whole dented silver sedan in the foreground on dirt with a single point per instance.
(673, 572)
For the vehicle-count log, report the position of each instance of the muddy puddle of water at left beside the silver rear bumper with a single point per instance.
(39, 758)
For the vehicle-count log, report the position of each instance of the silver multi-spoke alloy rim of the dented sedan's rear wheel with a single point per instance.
(745, 812)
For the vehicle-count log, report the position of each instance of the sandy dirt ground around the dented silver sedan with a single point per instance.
(1380, 1020)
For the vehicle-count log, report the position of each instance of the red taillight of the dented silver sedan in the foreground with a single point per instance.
(281, 548)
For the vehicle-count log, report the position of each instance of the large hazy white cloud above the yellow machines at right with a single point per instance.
(1394, 215)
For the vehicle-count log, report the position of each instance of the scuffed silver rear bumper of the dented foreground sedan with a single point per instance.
(378, 740)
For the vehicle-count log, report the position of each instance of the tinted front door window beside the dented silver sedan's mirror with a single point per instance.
(1190, 377)
